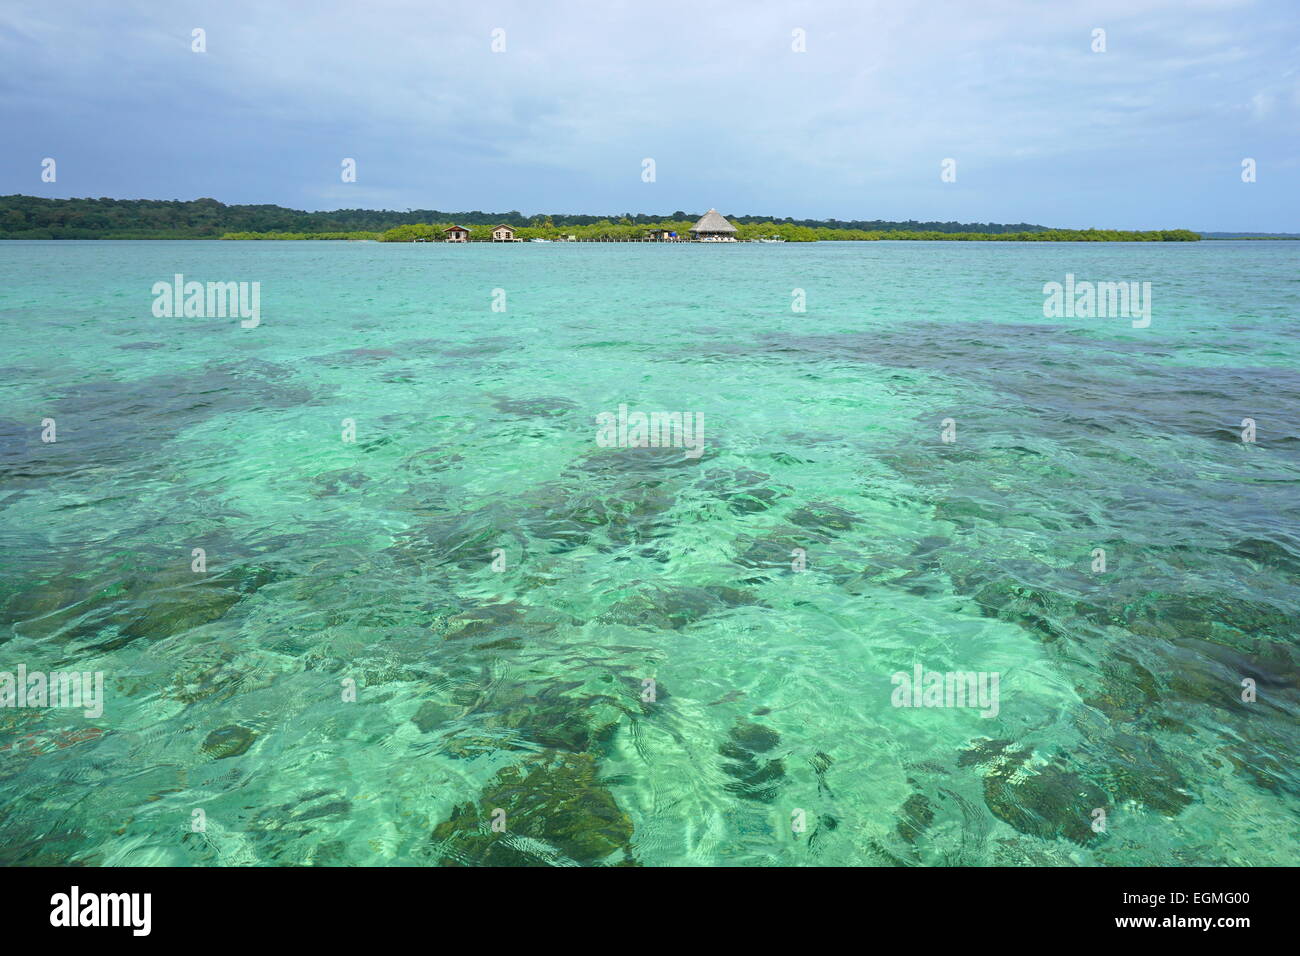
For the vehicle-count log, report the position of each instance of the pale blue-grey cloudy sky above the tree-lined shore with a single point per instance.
(1149, 135)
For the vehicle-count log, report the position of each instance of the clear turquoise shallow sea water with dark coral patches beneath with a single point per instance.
(522, 690)
